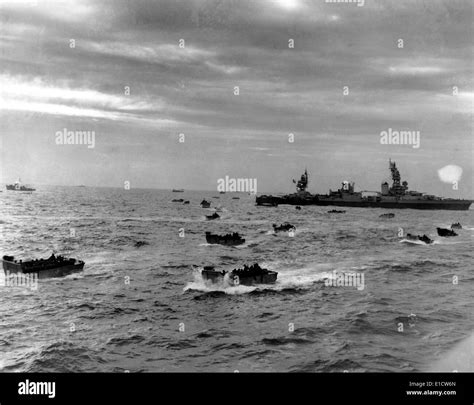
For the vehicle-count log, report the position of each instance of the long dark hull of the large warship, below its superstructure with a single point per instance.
(453, 205)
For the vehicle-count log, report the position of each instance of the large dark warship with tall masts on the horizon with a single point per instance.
(395, 196)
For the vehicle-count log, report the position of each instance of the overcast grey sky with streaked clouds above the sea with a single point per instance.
(48, 85)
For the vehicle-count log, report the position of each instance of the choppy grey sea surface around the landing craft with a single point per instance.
(144, 307)
